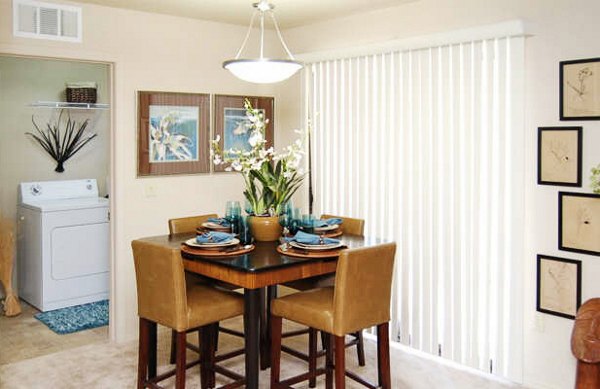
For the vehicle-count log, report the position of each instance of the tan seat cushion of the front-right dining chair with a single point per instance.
(313, 308)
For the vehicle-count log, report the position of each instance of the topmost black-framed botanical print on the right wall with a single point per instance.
(580, 89)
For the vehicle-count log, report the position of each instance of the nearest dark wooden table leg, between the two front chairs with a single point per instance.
(252, 335)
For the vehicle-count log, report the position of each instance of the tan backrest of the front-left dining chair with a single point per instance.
(160, 285)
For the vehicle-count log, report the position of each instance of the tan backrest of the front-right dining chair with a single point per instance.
(363, 285)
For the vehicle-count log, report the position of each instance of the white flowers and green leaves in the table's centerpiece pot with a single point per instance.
(271, 178)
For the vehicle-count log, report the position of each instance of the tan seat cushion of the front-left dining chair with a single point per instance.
(208, 305)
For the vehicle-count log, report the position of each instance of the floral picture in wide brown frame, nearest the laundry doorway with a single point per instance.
(173, 133)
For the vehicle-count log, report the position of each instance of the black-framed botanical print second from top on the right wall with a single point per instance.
(559, 156)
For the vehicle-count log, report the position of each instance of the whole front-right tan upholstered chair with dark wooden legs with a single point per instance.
(359, 299)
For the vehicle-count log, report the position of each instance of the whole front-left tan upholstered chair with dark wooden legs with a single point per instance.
(164, 298)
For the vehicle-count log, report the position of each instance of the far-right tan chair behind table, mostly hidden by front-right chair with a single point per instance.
(349, 226)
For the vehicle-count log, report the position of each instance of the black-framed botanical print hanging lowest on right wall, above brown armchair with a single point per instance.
(558, 286)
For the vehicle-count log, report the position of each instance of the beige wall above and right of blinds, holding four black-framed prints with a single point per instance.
(561, 30)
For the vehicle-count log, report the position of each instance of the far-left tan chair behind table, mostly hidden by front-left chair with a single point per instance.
(188, 225)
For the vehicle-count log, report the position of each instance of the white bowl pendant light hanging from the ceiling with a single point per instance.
(263, 70)
